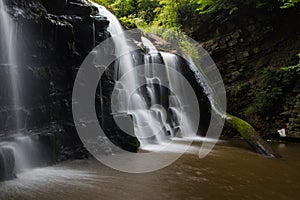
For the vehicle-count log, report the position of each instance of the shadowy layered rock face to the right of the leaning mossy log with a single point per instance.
(250, 48)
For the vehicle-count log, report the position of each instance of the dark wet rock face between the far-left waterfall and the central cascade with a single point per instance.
(53, 38)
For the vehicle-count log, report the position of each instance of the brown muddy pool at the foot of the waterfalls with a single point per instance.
(230, 171)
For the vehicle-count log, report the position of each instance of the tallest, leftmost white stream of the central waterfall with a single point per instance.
(146, 124)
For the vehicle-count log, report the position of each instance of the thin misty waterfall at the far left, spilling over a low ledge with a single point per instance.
(17, 152)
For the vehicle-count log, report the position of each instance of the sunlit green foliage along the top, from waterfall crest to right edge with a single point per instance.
(179, 14)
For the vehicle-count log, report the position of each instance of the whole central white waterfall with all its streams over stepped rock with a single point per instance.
(152, 123)
